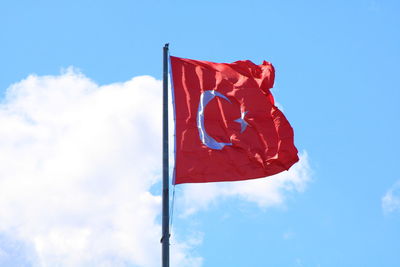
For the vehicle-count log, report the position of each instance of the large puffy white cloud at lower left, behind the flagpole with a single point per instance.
(78, 162)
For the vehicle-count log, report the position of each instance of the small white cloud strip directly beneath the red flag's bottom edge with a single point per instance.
(266, 192)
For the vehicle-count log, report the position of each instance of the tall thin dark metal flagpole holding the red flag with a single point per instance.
(165, 193)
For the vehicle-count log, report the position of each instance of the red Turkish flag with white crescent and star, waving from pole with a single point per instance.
(227, 126)
